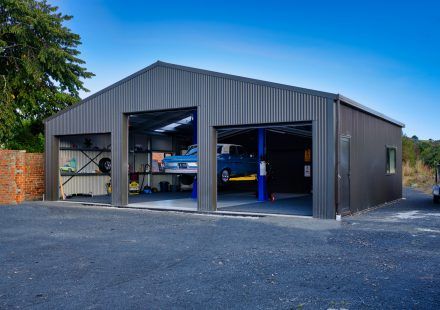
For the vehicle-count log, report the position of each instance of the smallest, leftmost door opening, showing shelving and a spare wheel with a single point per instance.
(84, 168)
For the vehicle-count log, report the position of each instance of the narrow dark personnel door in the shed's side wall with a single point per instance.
(344, 175)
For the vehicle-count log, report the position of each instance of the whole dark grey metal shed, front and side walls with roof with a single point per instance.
(356, 152)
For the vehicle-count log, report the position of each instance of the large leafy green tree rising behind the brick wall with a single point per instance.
(40, 72)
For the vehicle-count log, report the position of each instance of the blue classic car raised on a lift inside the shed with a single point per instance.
(232, 161)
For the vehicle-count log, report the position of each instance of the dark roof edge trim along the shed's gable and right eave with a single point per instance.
(236, 78)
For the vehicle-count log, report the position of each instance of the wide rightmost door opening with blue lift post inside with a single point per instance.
(265, 169)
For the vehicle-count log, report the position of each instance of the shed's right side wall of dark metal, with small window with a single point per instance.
(370, 185)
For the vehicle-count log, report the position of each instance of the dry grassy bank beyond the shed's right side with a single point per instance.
(418, 176)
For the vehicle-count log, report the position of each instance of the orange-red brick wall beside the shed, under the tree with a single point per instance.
(21, 176)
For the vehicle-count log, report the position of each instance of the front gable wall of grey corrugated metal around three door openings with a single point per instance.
(221, 100)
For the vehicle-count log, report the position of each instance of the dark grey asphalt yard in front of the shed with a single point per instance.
(74, 257)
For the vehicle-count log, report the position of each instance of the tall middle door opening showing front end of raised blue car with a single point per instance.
(163, 160)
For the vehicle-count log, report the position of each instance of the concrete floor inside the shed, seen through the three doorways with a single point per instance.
(288, 204)
